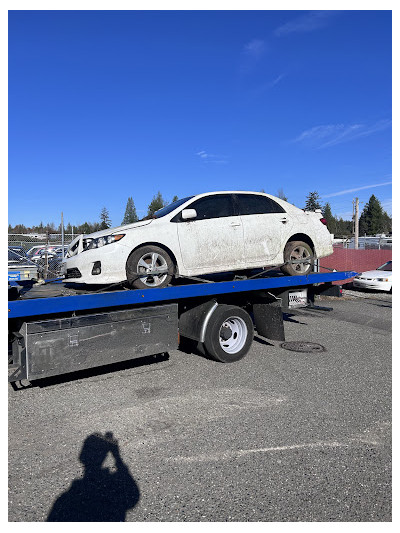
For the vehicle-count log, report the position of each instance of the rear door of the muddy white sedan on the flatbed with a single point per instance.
(266, 226)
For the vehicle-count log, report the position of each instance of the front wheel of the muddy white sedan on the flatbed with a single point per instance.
(136, 271)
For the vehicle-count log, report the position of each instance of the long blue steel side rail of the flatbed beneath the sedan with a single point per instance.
(63, 304)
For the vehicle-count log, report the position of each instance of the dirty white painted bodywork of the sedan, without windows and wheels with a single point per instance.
(204, 246)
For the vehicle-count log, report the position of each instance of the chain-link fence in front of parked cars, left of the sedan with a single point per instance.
(40, 254)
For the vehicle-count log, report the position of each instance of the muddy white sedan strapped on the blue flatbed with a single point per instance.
(202, 234)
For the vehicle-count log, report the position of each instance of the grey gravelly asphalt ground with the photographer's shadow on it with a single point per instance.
(278, 436)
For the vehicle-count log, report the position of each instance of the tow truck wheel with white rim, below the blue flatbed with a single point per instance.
(235, 324)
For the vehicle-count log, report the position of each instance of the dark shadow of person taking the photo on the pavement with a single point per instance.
(102, 494)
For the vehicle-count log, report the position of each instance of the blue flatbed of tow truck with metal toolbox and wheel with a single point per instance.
(61, 334)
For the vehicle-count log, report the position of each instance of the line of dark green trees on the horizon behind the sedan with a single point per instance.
(373, 218)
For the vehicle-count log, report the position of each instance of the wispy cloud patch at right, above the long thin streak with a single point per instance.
(331, 134)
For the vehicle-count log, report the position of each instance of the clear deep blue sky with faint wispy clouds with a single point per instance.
(104, 105)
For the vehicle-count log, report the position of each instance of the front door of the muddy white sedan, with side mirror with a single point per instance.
(213, 241)
